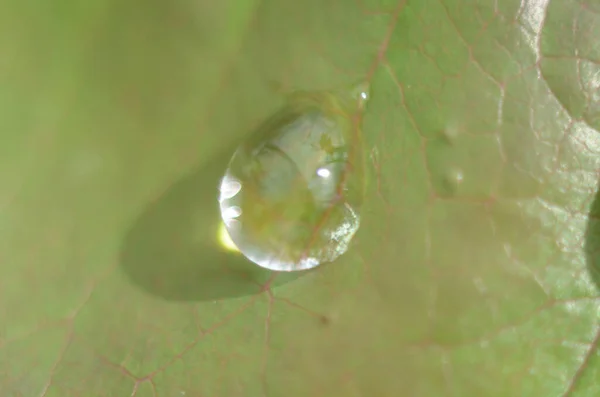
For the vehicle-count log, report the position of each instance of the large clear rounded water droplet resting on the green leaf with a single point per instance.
(290, 197)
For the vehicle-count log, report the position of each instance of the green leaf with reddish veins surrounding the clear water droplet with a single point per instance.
(476, 268)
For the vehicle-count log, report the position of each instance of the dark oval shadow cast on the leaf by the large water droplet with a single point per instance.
(172, 250)
